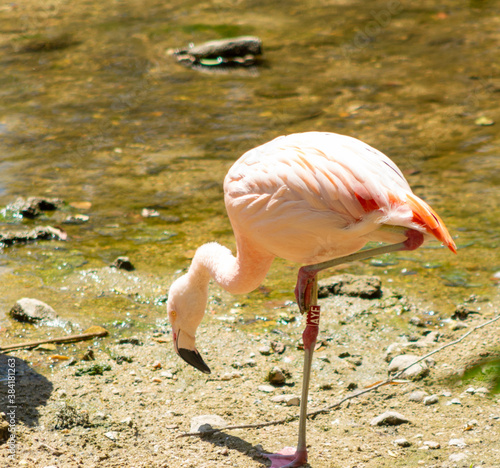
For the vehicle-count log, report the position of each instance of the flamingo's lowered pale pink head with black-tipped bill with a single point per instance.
(186, 308)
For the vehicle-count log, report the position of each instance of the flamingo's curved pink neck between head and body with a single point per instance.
(237, 275)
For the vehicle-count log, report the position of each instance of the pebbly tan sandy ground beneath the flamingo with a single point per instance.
(133, 414)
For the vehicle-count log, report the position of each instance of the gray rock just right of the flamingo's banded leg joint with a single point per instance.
(367, 287)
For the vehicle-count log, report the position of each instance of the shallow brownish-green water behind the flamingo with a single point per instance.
(94, 109)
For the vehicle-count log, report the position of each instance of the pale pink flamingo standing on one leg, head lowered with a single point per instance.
(312, 198)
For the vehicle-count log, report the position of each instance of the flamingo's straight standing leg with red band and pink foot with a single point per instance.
(289, 457)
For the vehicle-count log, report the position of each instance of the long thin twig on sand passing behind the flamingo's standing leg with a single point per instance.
(390, 381)
